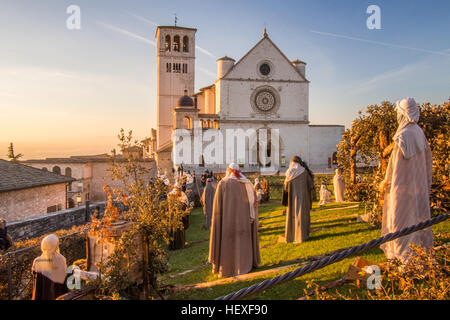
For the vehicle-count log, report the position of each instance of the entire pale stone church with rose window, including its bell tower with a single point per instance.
(256, 113)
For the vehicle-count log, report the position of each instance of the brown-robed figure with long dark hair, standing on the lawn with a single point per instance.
(299, 185)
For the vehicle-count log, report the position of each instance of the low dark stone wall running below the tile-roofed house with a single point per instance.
(42, 224)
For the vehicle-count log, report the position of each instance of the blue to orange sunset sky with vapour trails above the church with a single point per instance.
(68, 92)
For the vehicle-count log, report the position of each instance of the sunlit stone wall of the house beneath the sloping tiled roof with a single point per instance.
(24, 203)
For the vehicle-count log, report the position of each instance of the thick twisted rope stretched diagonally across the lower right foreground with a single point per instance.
(269, 283)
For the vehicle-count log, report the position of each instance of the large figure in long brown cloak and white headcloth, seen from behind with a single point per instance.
(234, 243)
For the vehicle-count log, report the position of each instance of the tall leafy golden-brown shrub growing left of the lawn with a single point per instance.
(153, 214)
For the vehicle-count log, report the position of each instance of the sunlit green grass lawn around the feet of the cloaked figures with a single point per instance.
(340, 231)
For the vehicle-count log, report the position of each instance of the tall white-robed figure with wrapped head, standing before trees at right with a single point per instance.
(407, 184)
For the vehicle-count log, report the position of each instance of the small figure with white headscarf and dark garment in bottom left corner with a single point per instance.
(49, 271)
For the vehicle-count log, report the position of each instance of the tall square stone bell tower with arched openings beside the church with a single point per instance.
(175, 73)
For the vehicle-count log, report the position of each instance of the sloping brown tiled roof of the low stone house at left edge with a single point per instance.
(16, 176)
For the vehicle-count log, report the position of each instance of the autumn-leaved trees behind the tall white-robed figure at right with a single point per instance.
(369, 140)
